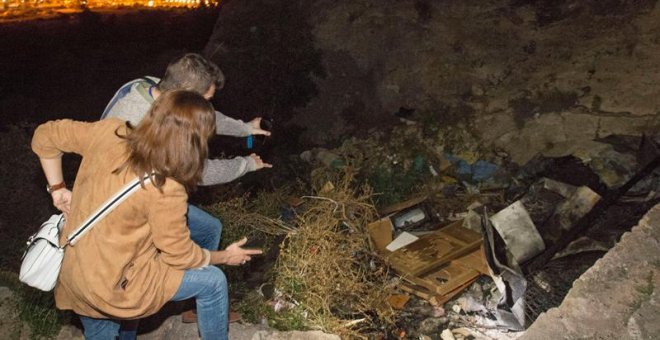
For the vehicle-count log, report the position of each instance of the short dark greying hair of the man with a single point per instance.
(192, 72)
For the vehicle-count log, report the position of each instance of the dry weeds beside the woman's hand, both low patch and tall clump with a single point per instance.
(325, 277)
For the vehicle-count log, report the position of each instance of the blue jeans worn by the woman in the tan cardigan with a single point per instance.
(207, 285)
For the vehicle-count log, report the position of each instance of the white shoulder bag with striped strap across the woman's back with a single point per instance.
(43, 257)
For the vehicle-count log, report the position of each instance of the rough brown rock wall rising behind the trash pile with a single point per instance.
(525, 77)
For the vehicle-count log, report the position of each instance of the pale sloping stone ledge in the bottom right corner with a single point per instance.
(617, 298)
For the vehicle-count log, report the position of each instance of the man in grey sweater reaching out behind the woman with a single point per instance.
(192, 72)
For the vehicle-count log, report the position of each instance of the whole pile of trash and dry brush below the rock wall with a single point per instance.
(428, 227)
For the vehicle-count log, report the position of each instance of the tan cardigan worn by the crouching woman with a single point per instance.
(130, 263)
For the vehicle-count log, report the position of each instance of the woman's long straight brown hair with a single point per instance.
(172, 139)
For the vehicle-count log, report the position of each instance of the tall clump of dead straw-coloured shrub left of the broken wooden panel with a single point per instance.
(326, 271)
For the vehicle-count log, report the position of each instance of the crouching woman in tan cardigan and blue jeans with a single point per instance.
(140, 255)
